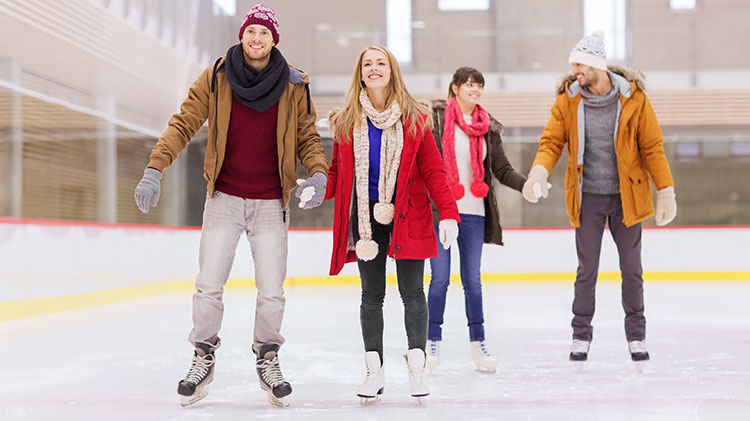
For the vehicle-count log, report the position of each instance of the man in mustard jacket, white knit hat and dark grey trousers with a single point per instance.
(614, 143)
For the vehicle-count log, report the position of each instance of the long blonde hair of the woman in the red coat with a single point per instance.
(343, 121)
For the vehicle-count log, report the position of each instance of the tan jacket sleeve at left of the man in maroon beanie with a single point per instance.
(183, 125)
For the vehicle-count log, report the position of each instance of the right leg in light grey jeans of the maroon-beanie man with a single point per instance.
(267, 233)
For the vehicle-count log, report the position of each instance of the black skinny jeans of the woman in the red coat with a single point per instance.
(410, 274)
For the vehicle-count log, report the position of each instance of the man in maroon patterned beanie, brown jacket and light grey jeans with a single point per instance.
(260, 120)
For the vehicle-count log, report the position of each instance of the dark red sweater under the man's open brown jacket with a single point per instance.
(251, 164)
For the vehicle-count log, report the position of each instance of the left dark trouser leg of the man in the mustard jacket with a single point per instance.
(588, 246)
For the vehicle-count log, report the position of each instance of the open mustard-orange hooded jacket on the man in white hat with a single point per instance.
(638, 144)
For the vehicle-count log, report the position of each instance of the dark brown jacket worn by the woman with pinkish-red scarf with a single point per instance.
(495, 163)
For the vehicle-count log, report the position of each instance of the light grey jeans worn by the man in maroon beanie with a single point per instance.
(265, 223)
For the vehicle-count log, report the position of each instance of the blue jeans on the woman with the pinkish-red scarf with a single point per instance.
(470, 242)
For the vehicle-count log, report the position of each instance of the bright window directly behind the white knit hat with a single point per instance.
(609, 17)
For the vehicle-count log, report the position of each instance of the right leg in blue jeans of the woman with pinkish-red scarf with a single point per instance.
(470, 244)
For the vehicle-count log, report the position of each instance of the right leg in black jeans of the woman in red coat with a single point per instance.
(410, 274)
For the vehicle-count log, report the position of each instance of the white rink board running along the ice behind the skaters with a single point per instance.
(52, 259)
